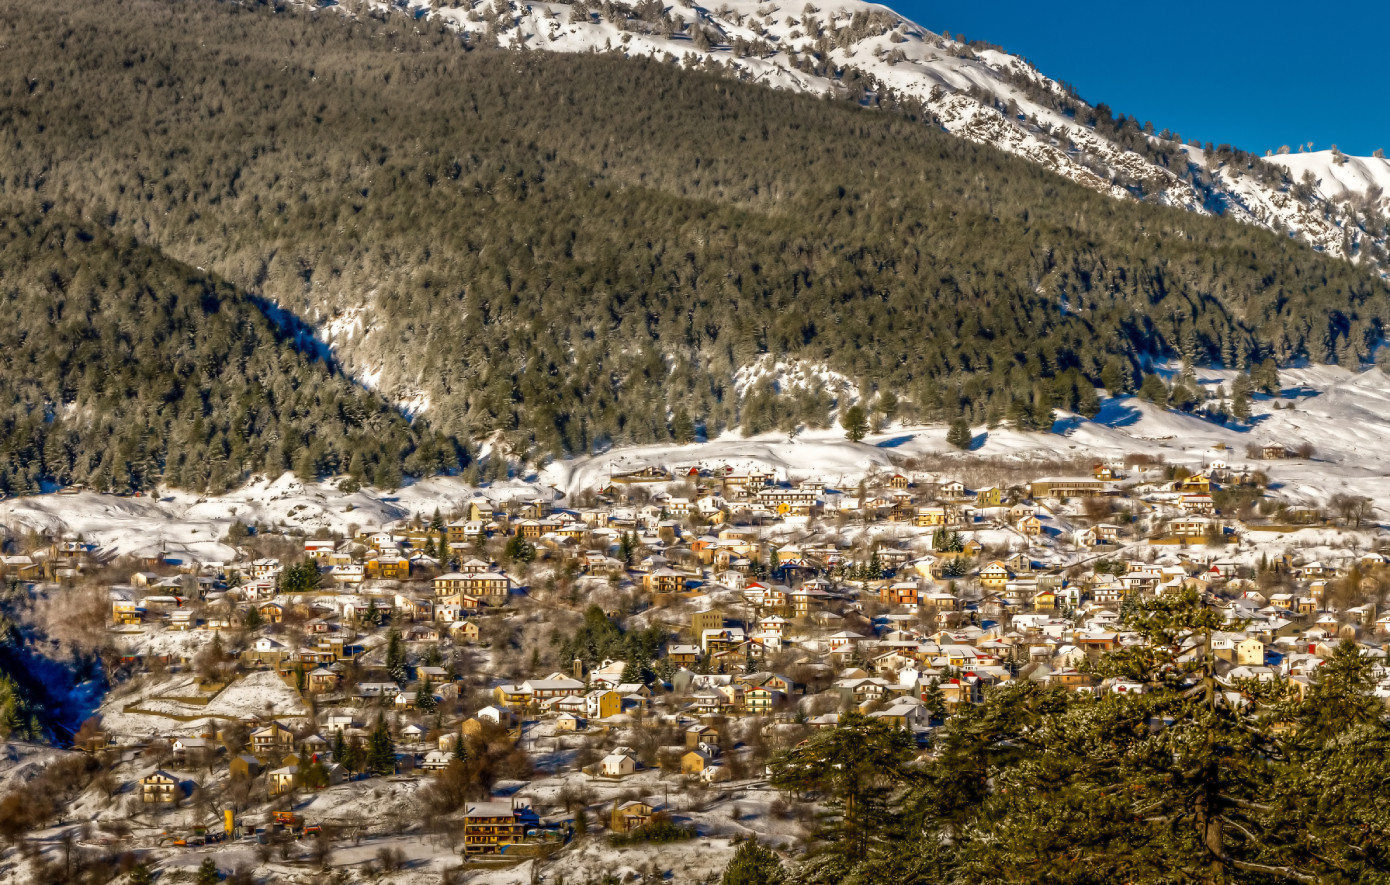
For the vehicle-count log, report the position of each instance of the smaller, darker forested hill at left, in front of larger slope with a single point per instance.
(119, 366)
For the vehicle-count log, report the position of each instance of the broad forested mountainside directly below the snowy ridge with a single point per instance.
(575, 249)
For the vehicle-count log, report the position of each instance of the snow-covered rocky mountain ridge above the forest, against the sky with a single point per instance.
(983, 95)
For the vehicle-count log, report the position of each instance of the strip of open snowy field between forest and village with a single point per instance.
(1345, 416)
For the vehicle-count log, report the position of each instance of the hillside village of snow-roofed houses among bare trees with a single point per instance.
(530, 673)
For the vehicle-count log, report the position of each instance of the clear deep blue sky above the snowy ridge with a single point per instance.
(1253, 76)
